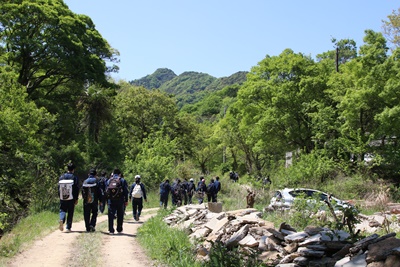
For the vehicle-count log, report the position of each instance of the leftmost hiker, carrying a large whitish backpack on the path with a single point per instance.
(68, 189)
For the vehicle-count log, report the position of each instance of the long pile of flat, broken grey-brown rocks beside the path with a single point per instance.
(315, 246)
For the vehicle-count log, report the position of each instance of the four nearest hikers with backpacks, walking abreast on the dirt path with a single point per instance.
(97, 192)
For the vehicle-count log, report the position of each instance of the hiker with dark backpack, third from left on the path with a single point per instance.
(117, 199)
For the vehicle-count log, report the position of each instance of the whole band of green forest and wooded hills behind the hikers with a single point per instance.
(337, 114)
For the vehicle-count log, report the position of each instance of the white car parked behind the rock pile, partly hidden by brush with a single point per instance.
(284, 199)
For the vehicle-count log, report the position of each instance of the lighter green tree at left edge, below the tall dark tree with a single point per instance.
(22, 150)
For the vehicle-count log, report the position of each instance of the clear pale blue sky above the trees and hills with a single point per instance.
(221, 37)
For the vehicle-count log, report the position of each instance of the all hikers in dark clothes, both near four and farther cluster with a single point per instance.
(113, 191)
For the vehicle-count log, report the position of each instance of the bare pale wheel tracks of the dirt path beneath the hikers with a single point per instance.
(55, 249)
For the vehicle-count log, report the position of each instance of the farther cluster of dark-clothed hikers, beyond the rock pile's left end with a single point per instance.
(183, 191)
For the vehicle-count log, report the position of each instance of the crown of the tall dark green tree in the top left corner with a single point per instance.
(48, 45)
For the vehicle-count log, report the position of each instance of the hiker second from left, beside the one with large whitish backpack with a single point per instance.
(92, 197)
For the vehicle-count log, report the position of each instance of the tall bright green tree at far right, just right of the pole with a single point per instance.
(357, 91)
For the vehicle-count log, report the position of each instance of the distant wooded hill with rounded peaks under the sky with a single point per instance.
(189, 87)
